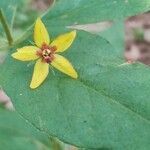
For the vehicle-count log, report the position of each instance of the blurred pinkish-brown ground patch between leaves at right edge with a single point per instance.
(137, 38)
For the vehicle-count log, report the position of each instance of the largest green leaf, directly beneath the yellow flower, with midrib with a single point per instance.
(107, 107)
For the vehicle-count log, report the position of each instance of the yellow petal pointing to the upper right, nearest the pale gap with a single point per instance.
(64, 41)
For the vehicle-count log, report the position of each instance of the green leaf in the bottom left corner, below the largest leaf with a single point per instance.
(16, 133)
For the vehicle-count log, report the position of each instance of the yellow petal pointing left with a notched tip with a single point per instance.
(26, 53)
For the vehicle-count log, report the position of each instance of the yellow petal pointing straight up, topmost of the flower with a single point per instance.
(41, 35)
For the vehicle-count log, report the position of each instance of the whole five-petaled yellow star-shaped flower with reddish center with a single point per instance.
(45, 54)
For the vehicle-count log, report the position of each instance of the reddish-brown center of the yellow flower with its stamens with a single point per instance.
(47, 53)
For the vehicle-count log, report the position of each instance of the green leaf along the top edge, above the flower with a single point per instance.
(70, 12)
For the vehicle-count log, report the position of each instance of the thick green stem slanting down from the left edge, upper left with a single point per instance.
(6, 27)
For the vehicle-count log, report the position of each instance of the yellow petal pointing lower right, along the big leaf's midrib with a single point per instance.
(63, 65)
